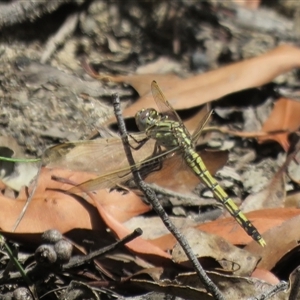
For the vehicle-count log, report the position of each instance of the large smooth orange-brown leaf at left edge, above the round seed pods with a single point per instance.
(49, 209)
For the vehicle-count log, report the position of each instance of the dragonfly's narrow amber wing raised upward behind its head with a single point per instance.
(162, 103)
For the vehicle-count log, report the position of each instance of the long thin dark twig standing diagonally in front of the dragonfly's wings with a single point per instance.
(151, 197)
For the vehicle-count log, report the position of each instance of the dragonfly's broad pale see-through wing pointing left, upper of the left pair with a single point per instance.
(99, 156)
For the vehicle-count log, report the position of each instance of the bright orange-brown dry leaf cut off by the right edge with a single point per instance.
(285, 116)
